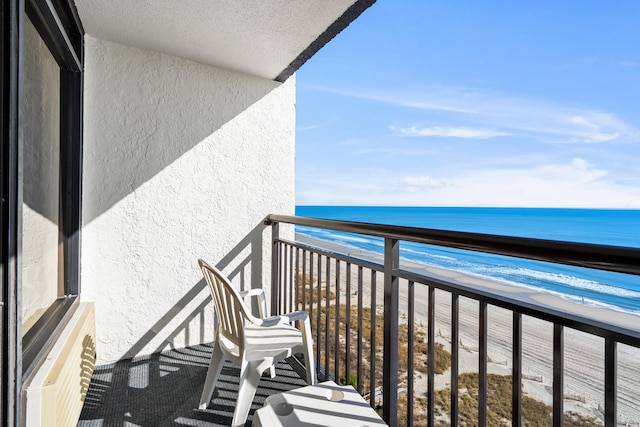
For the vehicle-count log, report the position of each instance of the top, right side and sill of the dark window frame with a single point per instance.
(61, 31)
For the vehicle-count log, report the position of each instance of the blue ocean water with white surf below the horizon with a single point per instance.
(593, 287)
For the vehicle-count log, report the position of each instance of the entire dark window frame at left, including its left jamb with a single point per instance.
(58, 24)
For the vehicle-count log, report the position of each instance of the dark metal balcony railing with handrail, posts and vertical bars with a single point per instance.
(602, 257)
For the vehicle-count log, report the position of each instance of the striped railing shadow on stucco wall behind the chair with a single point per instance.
(252, 261)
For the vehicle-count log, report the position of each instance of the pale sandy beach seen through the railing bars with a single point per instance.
(583, 353)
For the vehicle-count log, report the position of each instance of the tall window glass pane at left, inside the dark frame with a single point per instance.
(41, 245)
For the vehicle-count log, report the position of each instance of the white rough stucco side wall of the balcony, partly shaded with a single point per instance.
(181, 161)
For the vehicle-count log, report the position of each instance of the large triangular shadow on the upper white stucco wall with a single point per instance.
(142, 111)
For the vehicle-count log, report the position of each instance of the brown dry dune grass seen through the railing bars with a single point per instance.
(534, 413)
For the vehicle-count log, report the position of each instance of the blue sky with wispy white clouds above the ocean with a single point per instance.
(466, 103)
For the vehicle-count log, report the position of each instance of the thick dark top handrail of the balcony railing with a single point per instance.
(602, 257)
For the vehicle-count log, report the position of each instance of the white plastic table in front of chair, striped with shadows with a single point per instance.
(324, 404)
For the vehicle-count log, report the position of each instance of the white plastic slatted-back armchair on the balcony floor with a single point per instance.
(253, 344)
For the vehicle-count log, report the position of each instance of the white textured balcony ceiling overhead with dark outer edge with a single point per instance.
(266, 38)
